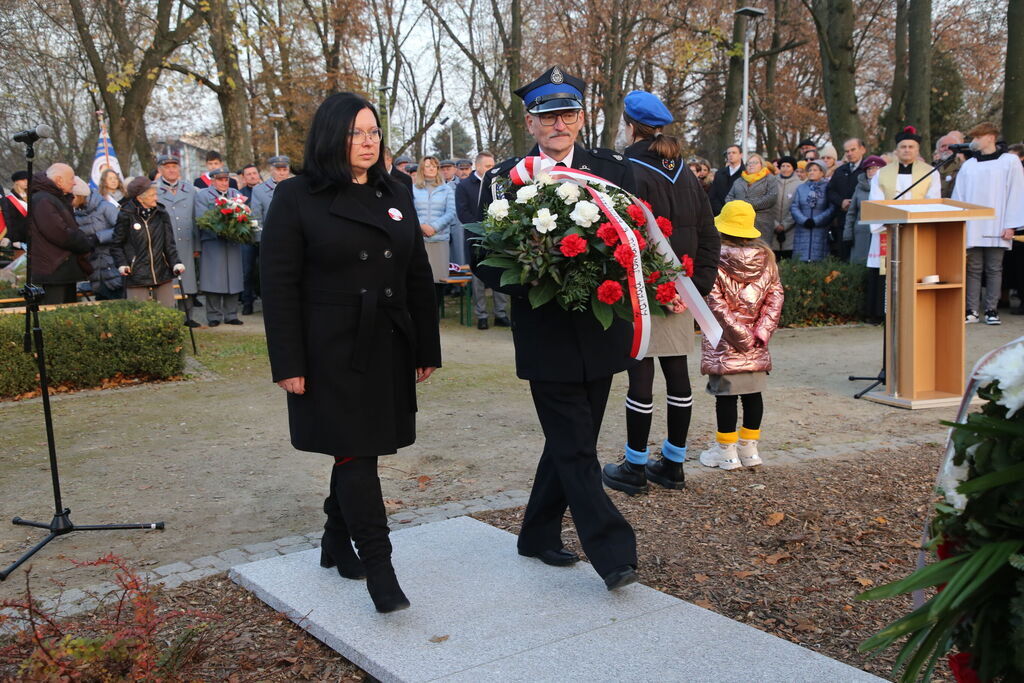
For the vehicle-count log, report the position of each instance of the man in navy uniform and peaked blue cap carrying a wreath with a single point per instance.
(569, 361)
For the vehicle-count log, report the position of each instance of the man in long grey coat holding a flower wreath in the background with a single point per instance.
(221, 266)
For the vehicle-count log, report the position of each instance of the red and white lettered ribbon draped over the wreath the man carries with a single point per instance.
(531, 167)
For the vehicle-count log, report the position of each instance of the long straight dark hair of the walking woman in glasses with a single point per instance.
(326, 159)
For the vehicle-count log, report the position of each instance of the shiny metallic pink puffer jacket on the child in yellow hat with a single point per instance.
(747, 297)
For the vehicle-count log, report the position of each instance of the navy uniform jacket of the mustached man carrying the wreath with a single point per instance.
(553, 345)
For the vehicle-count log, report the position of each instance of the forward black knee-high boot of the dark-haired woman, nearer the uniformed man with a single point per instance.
(358, 490)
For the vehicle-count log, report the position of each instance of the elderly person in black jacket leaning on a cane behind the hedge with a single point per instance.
(144, 246)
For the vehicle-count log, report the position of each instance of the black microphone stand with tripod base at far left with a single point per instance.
(33, 294)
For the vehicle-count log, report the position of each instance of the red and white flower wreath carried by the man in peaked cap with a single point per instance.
(568, 238)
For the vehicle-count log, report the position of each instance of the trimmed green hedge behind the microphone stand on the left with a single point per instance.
(87, 345)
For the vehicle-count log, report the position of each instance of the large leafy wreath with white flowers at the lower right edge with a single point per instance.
(978, 536)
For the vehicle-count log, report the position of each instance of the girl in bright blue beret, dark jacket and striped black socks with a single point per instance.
(664, 181)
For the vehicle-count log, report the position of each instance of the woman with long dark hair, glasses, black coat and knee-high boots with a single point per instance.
(352, 326)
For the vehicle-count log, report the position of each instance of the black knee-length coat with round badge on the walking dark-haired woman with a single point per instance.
(349, 304)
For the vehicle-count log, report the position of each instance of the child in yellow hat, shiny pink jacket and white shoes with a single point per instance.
(747, 300)
